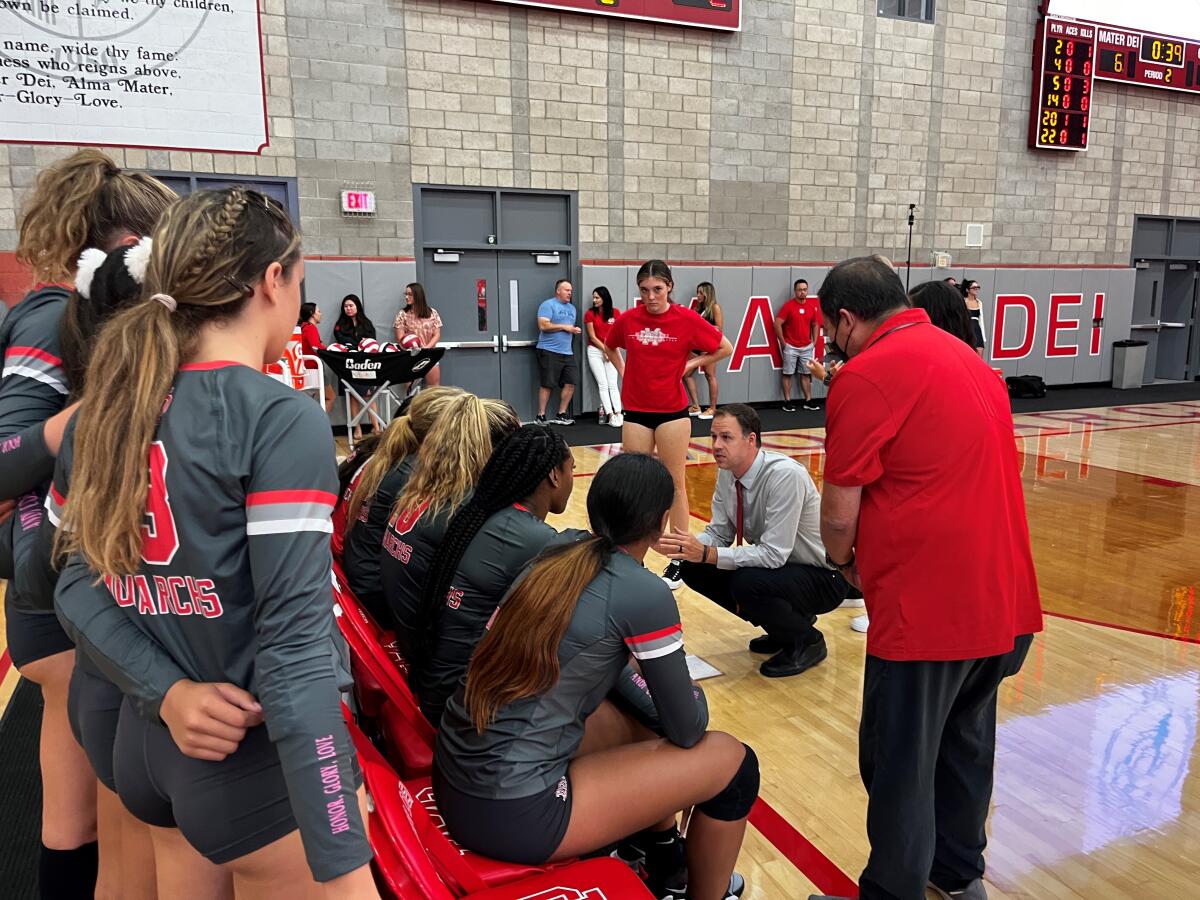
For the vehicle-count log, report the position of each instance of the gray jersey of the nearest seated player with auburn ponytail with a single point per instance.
(626, 611)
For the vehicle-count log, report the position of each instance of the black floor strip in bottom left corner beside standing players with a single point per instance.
(21, 794)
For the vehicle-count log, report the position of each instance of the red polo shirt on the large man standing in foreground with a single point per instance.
(926, 428)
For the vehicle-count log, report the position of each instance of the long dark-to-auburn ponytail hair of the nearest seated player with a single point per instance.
(519, 656)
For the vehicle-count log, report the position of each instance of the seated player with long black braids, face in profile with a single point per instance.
(490, 541)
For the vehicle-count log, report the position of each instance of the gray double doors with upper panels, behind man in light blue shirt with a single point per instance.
(489, 260)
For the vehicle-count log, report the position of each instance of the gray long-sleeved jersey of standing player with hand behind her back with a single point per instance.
(236, 586)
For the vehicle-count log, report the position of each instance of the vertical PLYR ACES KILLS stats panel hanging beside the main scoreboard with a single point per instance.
(1064, 77)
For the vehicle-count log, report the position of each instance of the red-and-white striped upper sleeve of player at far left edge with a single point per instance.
(34, 386)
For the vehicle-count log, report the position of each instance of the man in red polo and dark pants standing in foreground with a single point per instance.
(923, 509)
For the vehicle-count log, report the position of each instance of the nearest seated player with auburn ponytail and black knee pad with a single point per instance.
(535, 765)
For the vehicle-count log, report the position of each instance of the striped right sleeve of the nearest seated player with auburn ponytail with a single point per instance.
(652, 633)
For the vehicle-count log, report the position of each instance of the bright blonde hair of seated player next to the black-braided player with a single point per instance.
(455, 452)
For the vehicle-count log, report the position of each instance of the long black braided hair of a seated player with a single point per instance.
(514, 472)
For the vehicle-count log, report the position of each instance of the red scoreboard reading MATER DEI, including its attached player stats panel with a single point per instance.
(1071, 55)
